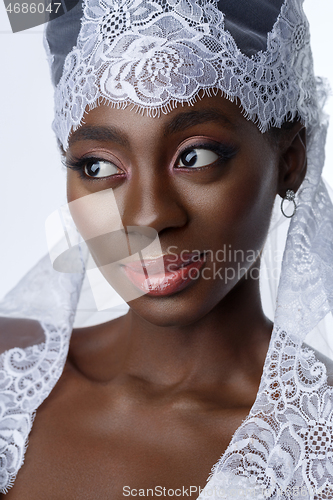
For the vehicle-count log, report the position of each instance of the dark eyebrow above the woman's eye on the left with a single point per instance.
(99, 133)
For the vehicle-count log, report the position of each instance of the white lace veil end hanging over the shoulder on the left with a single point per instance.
(28, 375)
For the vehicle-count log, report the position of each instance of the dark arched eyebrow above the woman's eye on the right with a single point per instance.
(192, 118)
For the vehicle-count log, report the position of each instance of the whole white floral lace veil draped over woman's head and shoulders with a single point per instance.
(155, 55)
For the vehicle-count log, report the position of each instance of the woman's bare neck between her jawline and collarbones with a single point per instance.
(232, 338)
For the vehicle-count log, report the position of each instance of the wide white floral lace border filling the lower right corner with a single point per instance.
(284, 449)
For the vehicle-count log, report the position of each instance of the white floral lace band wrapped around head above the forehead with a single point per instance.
(154, 54)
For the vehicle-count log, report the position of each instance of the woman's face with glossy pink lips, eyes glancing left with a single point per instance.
(203, 177)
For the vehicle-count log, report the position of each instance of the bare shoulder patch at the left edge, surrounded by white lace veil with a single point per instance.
(19, 332)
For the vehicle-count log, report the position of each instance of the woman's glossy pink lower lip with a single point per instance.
(160, 285)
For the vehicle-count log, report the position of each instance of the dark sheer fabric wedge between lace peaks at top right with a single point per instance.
(250, 21)
